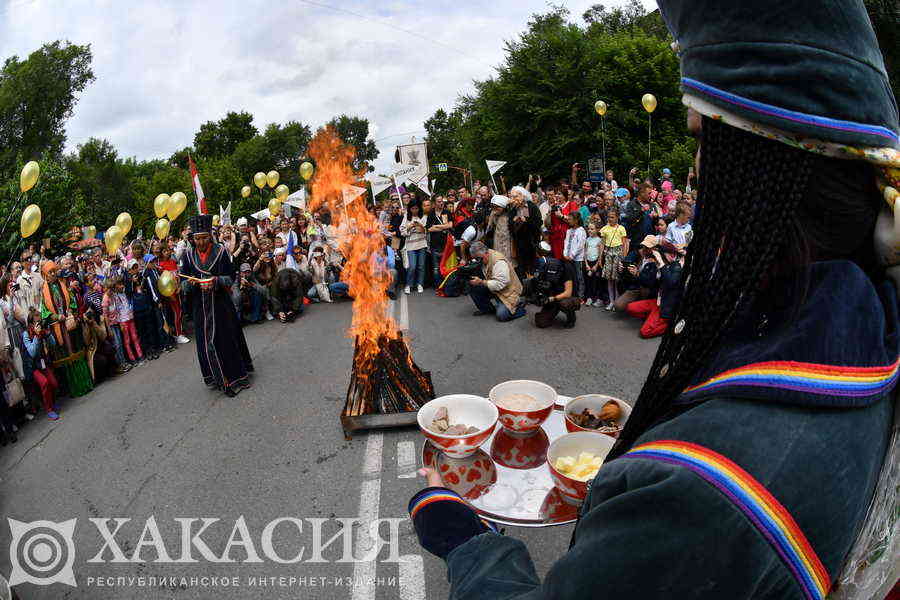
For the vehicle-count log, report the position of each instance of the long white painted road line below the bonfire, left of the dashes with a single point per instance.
(369, 498)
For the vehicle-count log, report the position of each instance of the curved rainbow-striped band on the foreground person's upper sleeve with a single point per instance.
(765, 512)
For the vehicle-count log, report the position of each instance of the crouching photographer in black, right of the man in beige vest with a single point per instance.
(551, 289)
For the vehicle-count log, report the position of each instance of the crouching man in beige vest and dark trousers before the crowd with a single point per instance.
(500, 291)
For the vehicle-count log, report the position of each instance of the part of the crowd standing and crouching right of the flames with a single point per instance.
(595, 244)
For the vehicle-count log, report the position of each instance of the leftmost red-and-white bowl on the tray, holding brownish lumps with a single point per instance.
(464, 409)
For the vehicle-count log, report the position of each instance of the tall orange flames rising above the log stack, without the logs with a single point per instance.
(360, 241)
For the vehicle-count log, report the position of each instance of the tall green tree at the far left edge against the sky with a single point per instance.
(37, 96)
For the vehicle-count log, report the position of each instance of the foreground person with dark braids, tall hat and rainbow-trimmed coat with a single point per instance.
(760, 460)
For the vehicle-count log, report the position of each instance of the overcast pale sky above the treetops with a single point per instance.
(164, 68)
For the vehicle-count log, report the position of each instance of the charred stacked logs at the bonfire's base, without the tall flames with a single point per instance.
(388, 383)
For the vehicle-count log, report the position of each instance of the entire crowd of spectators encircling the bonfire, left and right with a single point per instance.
(75, 318)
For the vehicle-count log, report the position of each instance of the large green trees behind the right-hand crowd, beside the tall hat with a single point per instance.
(537, 112)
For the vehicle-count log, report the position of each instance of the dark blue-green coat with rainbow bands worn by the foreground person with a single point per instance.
(799, 406)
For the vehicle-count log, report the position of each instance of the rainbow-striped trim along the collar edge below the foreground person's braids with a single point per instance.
(811, 378)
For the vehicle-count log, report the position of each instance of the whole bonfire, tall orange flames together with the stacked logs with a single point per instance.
(386, 387)
